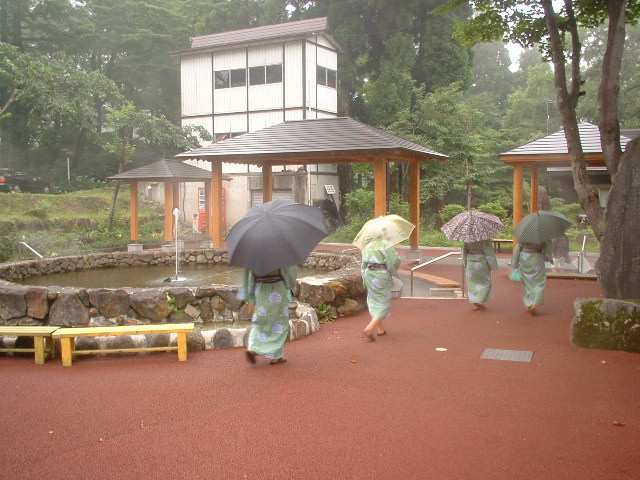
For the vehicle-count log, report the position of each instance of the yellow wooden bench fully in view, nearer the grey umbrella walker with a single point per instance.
(67, 338)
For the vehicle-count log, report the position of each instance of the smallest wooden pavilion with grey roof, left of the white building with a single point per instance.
(171, 173)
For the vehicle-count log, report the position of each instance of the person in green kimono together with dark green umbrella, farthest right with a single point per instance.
(534, 234)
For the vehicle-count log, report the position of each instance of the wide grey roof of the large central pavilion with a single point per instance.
(335, 135)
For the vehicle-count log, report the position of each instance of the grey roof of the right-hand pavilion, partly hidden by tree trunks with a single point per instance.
(552, 149)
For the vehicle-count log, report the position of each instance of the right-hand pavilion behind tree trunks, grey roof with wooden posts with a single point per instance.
(550, 151)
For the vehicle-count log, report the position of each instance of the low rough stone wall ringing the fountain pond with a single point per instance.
(341, 287)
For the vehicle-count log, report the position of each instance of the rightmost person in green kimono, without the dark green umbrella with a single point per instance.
(528, 259)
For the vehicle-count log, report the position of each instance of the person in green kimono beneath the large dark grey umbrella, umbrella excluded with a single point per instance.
(271, 295)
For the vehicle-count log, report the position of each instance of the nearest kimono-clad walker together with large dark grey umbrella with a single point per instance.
(269, 242)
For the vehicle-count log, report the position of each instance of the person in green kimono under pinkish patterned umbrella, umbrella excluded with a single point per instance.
(479, 259)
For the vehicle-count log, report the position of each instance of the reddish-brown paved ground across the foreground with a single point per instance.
(341, 409)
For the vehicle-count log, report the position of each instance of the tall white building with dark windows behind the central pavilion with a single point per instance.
(244, 80)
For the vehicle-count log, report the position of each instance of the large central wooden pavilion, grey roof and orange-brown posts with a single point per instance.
(317, 141)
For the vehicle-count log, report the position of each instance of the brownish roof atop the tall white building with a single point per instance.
(260, 34)
